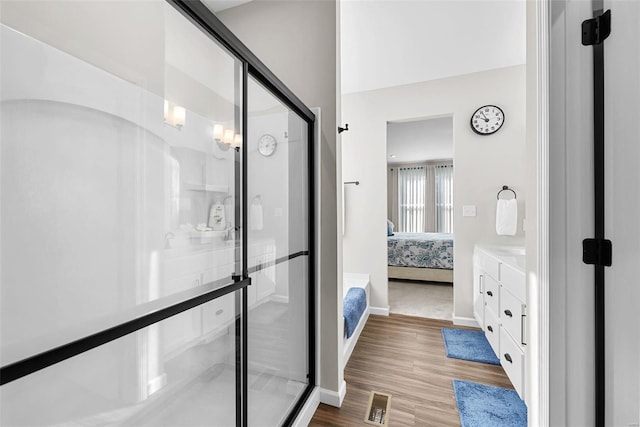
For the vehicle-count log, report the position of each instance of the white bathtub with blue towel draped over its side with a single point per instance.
(356, 287)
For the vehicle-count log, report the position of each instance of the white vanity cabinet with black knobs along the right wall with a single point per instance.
(500, 306)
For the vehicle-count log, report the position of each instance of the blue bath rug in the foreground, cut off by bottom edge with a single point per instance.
(482, 405)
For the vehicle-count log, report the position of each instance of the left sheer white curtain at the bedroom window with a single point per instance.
(411, 199)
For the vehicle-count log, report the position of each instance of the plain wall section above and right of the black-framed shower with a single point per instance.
(304, 55)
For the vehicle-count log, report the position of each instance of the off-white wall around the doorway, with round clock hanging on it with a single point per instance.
(482, 164)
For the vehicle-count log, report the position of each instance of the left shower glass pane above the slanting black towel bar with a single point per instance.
(118, 170)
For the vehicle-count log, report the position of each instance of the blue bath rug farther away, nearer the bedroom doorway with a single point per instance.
(468, 345)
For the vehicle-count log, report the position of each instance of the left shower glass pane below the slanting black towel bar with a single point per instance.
(132, 382)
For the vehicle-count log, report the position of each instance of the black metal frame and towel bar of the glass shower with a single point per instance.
(203, 18)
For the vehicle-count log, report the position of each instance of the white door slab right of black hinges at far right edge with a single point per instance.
(622, 214)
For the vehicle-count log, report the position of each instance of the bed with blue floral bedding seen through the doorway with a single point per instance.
(421, 256)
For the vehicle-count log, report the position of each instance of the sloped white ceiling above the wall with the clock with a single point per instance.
(387, 43)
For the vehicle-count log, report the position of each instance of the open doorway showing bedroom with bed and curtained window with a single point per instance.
(420, 231)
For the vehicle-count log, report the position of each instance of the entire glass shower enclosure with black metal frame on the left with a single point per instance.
(155, 220)
